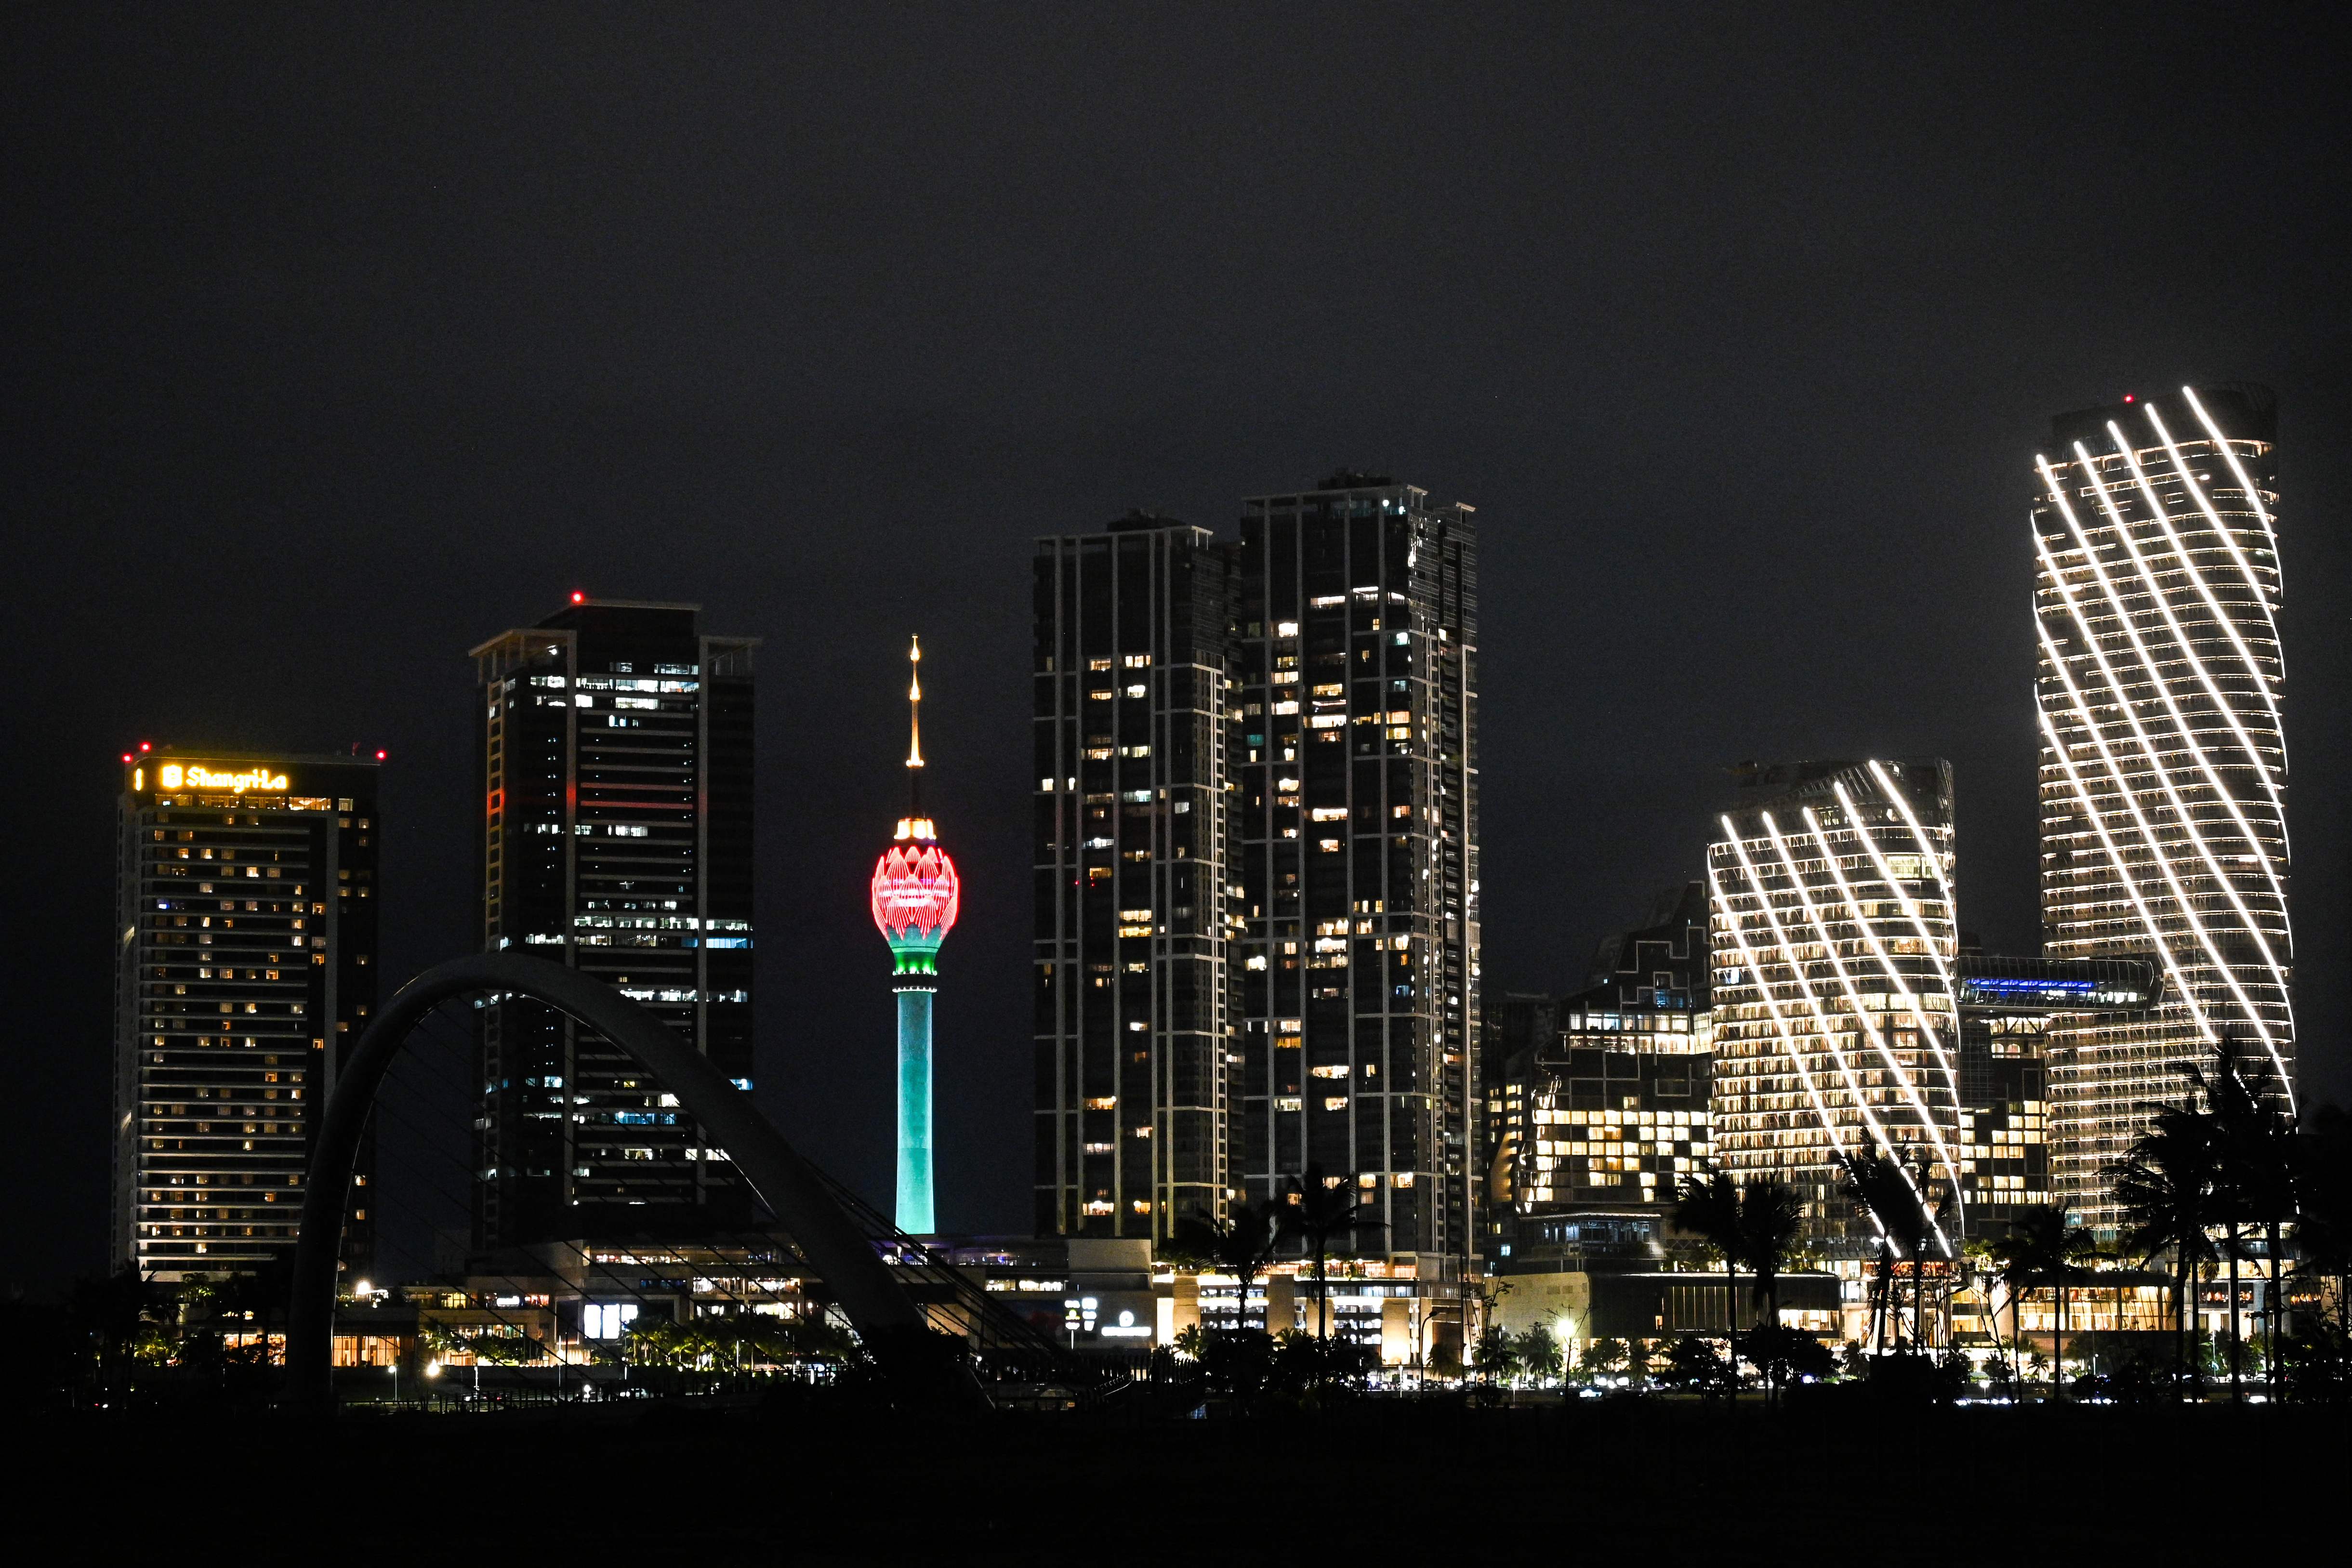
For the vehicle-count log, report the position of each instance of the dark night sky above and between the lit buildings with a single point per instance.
(340, 340)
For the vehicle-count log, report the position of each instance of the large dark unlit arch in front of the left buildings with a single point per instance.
(878, 1306)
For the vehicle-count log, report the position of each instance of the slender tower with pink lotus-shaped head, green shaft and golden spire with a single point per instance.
(914, 902)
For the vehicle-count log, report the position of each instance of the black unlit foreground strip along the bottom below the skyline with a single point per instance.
(1671, 1485)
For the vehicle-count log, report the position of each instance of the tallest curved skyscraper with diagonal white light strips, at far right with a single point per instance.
(2163, 753)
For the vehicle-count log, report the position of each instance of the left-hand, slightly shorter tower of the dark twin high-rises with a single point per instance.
(1132, 713)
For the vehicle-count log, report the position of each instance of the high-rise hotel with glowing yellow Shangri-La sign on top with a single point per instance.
(246, 913)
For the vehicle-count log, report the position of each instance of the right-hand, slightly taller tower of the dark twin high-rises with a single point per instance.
(1356, 760)
